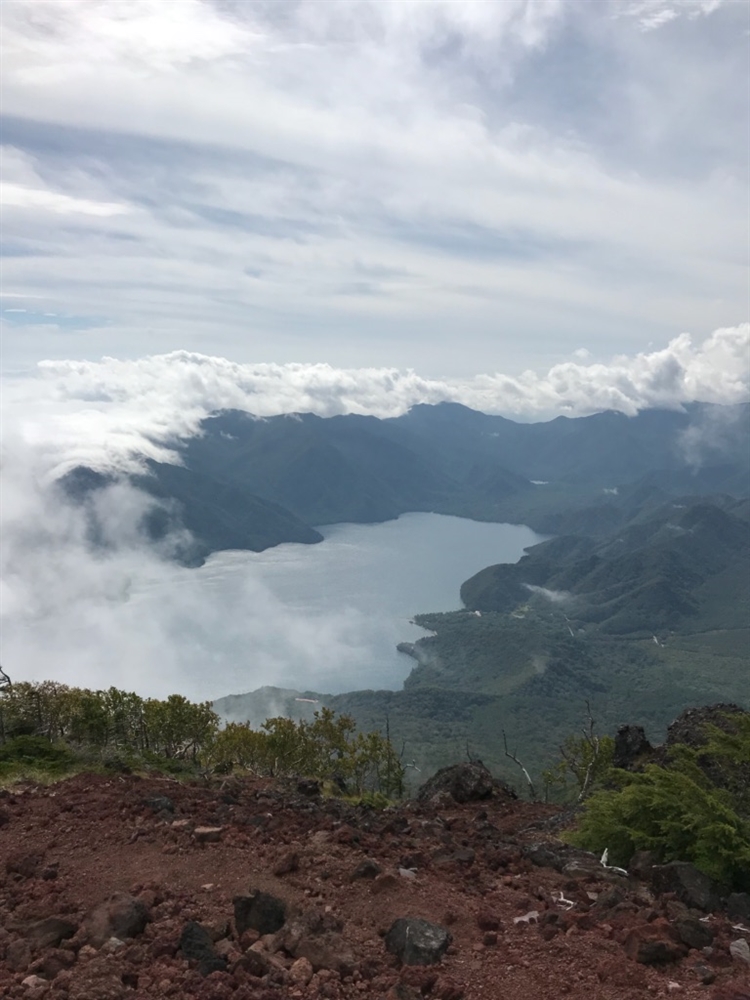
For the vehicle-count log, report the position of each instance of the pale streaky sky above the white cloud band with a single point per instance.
(453, 188)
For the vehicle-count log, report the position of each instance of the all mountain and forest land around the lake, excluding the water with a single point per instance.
(637, 606)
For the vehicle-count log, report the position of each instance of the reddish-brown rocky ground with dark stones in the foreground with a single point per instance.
(121, 888)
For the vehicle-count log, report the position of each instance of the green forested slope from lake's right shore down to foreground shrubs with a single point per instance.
(639, 624)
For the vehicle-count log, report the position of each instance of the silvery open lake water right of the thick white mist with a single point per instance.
(328, 617)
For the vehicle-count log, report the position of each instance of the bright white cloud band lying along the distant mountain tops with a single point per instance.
(106, 413)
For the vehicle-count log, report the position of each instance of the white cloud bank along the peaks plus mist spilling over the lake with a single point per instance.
(124, 614)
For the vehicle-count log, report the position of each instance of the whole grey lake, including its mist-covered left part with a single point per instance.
(322, 617)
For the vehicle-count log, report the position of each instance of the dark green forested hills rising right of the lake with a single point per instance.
(661, 572)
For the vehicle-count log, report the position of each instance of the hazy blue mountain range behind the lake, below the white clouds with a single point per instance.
(250, 483)
